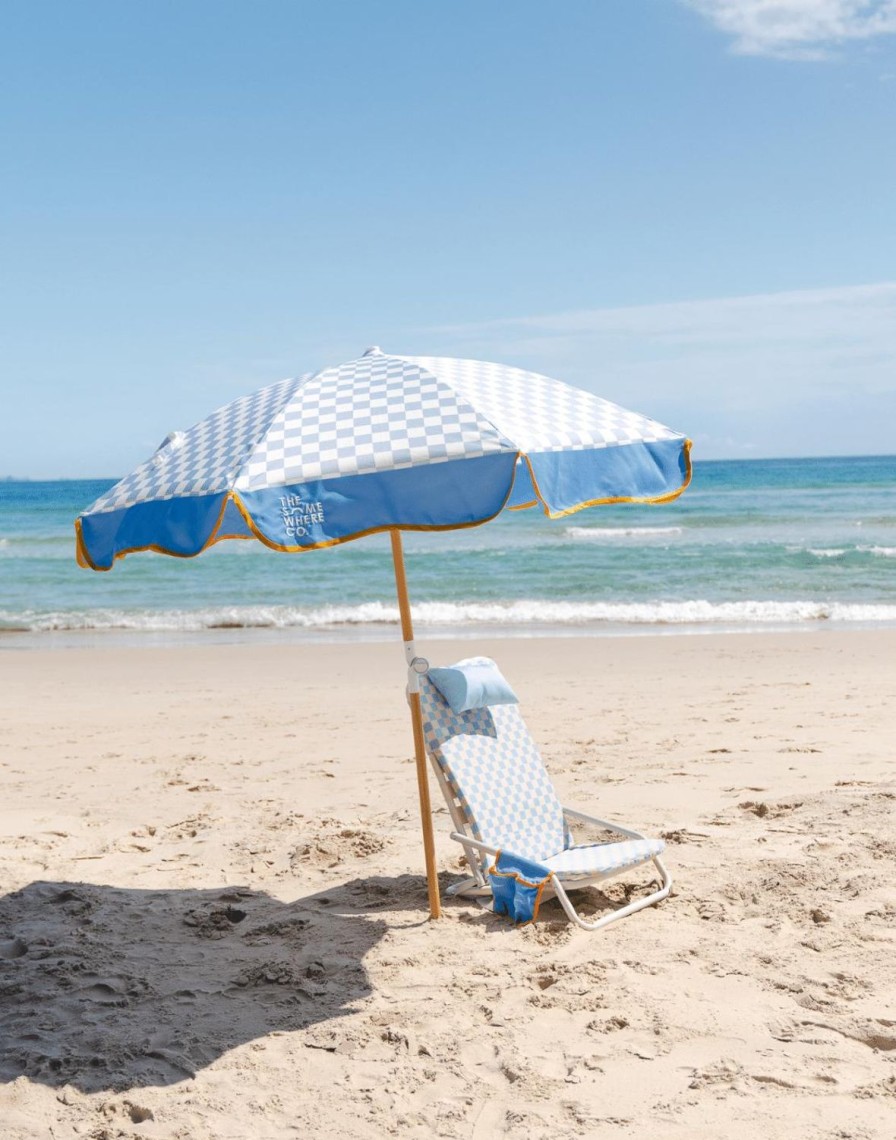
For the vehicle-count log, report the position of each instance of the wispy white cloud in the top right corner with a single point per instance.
(797, 29)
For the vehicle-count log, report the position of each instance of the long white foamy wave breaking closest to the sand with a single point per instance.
(531, 613)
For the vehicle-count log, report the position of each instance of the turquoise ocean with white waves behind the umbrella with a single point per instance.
(752, 545)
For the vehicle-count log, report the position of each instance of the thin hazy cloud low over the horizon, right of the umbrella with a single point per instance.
(820, 364)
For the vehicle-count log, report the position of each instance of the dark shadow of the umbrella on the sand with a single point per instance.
(109, 989)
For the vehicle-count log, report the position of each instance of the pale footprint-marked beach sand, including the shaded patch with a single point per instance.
(214, 922)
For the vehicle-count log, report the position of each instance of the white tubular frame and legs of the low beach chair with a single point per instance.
(480, 856)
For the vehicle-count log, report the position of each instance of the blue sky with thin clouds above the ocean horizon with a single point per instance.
(683, 206)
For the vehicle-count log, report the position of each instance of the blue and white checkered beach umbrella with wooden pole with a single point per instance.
(385, 444)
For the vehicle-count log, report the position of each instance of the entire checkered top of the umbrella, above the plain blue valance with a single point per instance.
(376, 414)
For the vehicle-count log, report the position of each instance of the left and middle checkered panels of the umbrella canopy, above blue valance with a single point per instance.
(378, 413)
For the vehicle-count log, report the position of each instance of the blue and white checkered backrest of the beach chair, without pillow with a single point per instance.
(492, 766)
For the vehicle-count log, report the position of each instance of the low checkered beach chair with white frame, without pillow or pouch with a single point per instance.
(501, 801)
